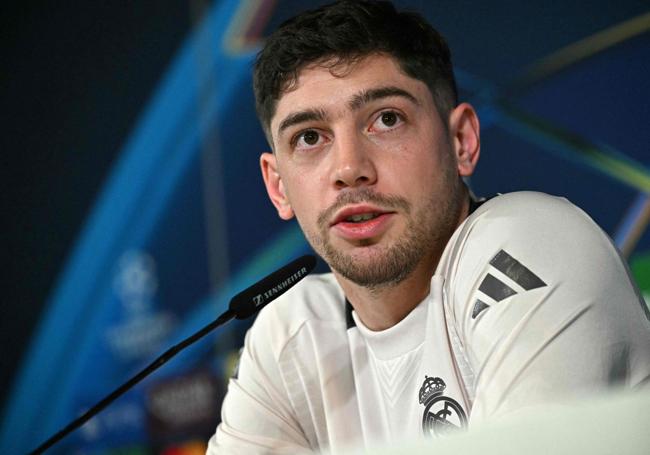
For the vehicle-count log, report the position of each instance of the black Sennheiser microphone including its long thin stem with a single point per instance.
(242, 306)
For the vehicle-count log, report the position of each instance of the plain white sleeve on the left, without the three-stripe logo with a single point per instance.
(256, 415)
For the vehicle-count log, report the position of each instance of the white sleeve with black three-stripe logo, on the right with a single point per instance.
(544, 306)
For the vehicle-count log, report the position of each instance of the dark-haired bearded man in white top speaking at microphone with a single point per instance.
(440, 312)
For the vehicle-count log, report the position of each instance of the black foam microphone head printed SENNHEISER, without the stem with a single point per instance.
(252, 299)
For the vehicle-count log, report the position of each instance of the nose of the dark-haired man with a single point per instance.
(354, 163)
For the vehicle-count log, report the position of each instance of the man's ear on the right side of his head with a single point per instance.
(464, 131)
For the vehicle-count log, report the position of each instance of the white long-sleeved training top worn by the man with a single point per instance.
(308, 382)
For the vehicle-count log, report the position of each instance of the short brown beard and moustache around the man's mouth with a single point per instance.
(425, 235)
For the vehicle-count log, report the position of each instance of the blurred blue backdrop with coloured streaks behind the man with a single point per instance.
(182, 223)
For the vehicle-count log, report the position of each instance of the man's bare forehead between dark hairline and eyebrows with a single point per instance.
(327, 87)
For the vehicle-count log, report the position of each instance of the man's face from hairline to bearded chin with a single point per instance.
(364, 161)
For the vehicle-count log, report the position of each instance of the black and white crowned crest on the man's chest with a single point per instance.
(441, 413)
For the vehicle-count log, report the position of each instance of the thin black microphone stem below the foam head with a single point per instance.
(157, 363)
